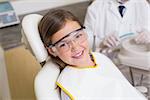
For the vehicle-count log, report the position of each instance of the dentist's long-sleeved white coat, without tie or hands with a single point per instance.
(103, 18)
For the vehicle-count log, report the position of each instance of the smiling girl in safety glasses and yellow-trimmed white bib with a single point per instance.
(86, 75)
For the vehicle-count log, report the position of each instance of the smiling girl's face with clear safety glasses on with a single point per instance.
(71, 45)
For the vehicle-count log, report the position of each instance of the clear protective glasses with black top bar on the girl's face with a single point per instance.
(64, 44)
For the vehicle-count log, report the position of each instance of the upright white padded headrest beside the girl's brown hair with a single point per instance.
(30, 28)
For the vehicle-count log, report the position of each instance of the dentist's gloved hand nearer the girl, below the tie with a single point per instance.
(111, 41)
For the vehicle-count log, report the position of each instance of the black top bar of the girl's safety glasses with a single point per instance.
(52, 45)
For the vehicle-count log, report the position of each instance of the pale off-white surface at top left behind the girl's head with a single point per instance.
(29, 6)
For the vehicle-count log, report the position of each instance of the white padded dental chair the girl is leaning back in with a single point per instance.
(44, 83)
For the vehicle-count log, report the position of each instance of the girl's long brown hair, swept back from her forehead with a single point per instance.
(51, 23)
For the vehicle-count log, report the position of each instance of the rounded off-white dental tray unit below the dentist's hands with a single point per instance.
(134, 55)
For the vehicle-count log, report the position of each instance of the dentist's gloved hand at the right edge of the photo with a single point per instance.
(143, 37)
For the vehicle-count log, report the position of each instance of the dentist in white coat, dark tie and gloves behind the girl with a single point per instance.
(109, 20)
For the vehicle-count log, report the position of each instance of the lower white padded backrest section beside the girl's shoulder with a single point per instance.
(45, 82)
